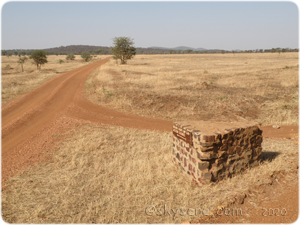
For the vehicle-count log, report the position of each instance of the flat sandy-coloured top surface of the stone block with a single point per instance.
(209, 127)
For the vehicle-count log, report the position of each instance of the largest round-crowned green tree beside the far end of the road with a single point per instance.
(123, 49)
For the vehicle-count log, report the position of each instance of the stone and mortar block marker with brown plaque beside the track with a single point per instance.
(210, 152)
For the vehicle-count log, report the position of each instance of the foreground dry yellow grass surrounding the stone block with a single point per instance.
(109, 175)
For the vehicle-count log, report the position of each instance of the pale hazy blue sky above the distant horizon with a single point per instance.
(214, 24)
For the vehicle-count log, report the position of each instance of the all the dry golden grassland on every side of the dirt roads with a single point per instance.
(112, 175)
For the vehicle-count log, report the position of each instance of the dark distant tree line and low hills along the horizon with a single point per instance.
(99, 50)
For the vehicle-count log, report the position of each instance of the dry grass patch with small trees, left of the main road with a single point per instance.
(14, 82)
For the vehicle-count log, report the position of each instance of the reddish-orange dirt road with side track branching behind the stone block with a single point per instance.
(28, 123)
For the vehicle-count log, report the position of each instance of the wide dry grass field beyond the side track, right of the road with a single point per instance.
(261, 87)
